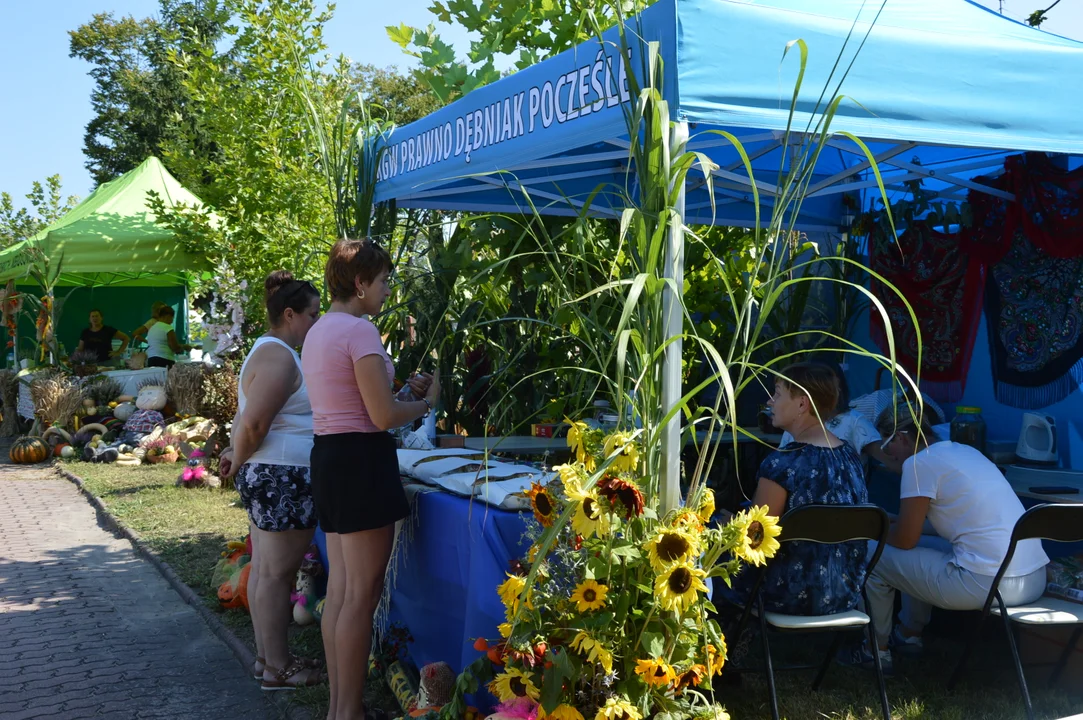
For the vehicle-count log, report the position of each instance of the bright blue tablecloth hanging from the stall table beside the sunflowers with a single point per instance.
(446, 583)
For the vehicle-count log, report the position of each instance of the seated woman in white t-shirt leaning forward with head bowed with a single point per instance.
(973, 510)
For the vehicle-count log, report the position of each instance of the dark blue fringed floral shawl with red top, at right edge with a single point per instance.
(1034, 250)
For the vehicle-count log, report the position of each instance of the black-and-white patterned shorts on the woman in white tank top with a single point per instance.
(279, 498)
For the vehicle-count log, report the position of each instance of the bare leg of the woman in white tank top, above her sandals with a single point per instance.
(281, 556)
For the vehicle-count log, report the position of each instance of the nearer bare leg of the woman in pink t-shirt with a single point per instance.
(366, 556)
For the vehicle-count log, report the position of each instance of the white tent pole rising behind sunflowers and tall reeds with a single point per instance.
(674, 325)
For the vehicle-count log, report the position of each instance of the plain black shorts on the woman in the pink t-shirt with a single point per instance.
(356, 482)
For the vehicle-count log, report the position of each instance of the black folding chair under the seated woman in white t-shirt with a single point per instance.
(1061, 523)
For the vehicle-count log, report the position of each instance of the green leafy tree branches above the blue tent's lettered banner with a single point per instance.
(529, 32)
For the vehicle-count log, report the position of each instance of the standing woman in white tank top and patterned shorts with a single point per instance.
(269, 459)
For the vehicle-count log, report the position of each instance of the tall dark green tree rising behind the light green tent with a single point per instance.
(139, 100)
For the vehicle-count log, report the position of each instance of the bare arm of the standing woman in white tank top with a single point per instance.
(275, 378)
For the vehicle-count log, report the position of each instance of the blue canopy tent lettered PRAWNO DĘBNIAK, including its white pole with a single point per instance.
(943, 90)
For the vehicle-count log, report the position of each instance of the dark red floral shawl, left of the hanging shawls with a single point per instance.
(941, 282)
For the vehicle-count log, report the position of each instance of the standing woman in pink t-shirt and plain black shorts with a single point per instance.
(355, 465)
